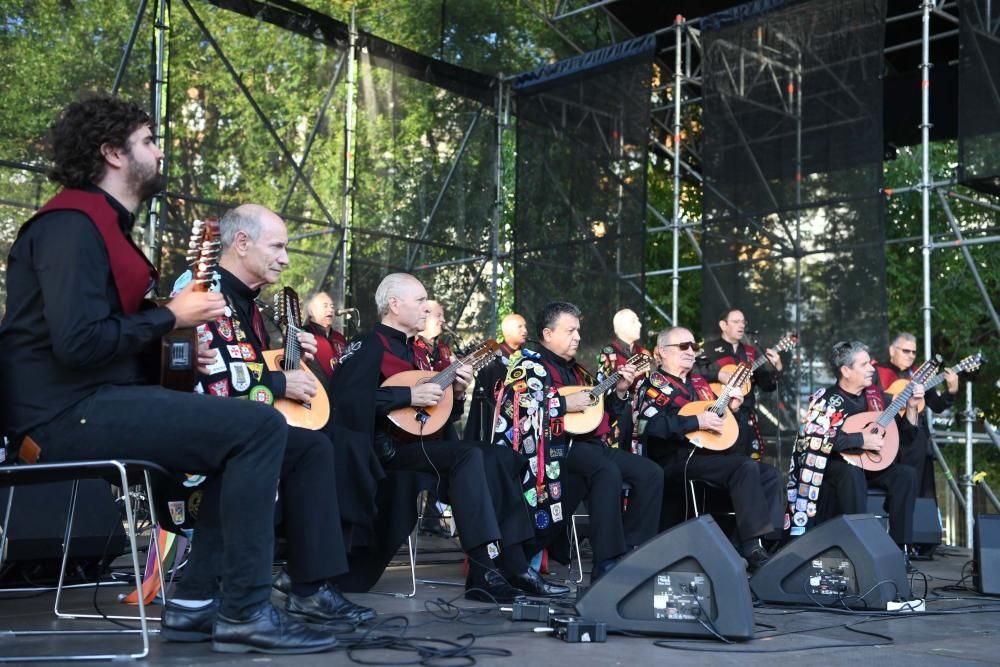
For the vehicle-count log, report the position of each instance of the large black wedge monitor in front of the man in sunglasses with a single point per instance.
(681, 583)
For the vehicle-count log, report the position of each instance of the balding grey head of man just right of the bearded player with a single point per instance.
(254, 245)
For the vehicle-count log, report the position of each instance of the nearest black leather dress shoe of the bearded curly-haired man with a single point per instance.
(269, 630)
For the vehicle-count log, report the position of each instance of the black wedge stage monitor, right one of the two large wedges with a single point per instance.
(848, 560)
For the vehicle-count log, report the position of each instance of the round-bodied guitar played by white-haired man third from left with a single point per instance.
(428, 420)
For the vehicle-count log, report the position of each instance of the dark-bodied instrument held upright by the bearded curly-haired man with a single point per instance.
(179, 348)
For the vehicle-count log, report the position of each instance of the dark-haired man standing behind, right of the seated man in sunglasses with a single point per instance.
(729, 348)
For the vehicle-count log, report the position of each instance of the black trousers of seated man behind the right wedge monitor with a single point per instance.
(849, 486)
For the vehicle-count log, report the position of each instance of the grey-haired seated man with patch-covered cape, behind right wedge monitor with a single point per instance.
(821, 483)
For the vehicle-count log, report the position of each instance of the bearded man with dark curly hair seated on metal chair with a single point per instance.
(72, 368)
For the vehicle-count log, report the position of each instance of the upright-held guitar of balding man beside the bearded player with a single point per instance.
(314, 414)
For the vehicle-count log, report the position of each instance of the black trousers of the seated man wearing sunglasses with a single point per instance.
(755, 489)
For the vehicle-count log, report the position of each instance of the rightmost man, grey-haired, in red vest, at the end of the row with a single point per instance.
(902, 353)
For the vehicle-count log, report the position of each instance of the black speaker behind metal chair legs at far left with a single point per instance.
(38, 522)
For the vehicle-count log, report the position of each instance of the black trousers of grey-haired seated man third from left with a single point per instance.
(482, 484)
